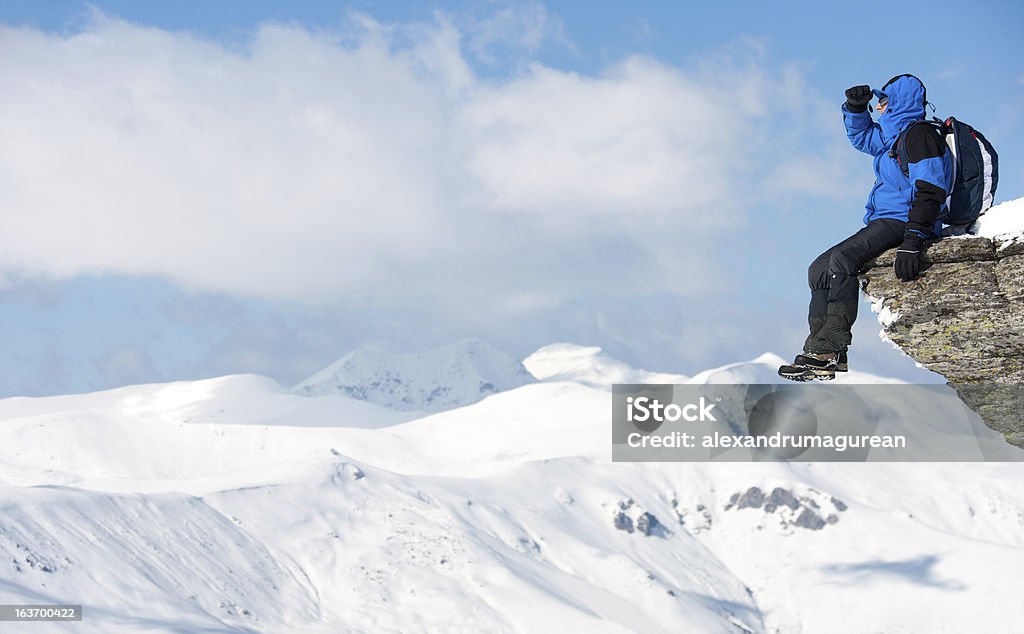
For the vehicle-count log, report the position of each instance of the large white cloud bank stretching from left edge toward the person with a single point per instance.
(377, 165)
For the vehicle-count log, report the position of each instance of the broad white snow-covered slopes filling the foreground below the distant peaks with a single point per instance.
(231, 505)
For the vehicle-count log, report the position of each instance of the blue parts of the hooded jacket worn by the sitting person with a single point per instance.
(894, 193)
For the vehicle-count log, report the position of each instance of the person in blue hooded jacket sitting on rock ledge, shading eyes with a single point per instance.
(903, 210)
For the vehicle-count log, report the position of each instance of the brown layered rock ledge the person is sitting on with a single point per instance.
(964, 319)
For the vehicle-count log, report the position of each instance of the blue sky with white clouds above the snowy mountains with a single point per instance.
(202, 189)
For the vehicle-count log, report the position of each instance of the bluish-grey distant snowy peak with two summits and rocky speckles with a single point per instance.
(441, 379)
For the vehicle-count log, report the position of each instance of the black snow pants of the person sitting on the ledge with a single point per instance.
(833, 277)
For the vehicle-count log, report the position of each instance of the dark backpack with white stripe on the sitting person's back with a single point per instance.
(976, 170)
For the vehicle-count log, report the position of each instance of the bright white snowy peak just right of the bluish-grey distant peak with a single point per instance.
(590, 366)
